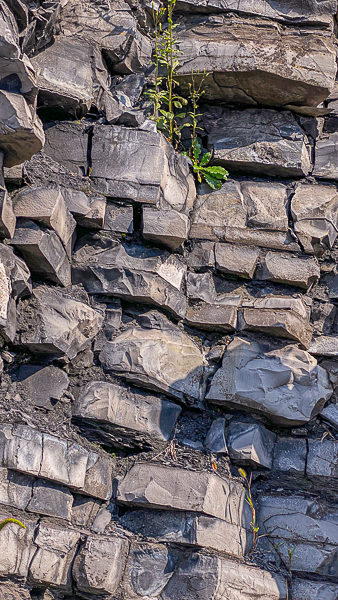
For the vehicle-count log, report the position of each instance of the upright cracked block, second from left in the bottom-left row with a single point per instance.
(52, 562)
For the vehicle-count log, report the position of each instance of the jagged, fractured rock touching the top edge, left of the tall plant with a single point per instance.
(113, 29)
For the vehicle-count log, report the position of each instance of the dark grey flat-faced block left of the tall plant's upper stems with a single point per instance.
(64, 76)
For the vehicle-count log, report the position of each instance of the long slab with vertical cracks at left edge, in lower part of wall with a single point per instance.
(28, 451)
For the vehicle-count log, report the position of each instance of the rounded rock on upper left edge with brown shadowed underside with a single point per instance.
(21, 133)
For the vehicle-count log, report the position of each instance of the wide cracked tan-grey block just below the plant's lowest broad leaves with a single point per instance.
(245, 213)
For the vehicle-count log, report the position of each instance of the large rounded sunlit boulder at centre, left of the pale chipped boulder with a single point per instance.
(158, 356)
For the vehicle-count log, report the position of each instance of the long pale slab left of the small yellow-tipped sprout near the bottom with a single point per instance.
(178, 489)
